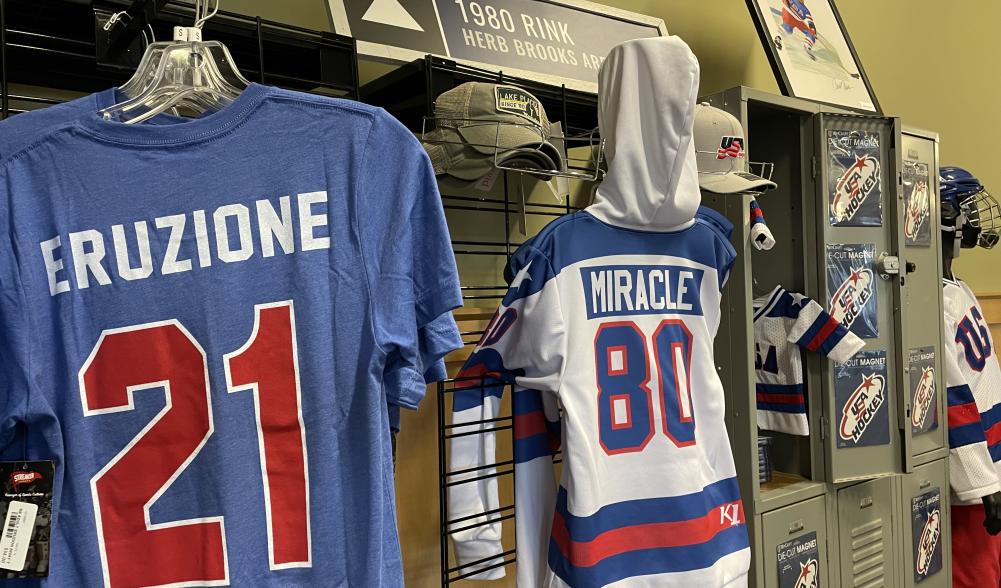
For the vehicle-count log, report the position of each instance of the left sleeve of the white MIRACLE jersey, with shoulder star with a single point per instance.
(524, 345)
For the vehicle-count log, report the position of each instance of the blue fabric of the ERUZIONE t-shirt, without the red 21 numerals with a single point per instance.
(360, 299)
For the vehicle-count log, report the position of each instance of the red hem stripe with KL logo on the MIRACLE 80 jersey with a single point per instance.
(638, 537)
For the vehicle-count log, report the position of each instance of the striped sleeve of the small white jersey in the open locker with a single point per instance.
(814, 330)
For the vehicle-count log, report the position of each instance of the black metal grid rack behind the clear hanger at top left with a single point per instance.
(62, 48)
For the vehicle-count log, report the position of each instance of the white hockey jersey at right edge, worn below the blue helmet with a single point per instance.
(973, 381)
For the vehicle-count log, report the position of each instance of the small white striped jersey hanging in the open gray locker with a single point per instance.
(785, 323)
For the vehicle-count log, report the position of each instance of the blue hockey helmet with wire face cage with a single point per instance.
(967, 206)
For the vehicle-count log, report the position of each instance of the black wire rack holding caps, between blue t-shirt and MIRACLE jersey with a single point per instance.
(401, 94)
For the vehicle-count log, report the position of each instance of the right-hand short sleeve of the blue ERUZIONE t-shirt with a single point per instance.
(411, 269)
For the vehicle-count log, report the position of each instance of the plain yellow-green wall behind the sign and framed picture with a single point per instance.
(931, 64)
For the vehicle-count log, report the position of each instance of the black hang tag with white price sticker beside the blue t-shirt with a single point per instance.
(27, 510)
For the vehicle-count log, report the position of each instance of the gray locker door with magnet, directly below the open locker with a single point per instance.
(795, 545)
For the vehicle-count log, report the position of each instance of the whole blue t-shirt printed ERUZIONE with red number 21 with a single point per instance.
(200, 322)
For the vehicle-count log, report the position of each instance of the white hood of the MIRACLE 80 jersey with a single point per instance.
(647, 95)
